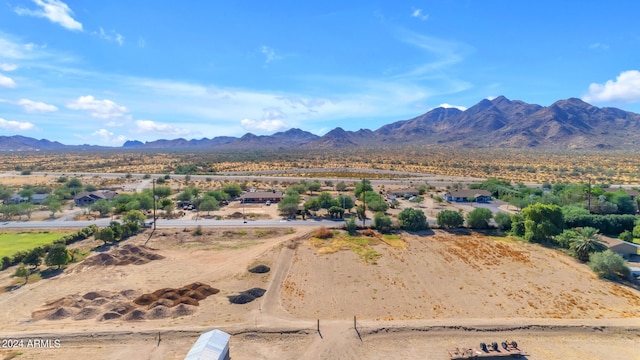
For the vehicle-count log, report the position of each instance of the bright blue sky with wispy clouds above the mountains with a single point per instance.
(103, 72)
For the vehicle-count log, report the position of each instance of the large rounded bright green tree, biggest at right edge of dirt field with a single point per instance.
(542, 221)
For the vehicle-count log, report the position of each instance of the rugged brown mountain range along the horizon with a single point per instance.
(498, 123)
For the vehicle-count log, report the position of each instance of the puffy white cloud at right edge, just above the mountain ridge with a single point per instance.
(626, 87)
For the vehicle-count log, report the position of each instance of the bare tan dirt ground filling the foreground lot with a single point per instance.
(444, 290)
